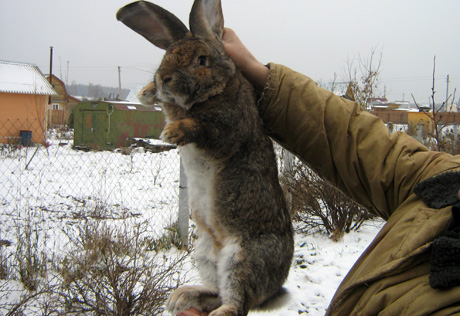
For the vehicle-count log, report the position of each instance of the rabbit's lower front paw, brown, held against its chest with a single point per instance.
(180, 132)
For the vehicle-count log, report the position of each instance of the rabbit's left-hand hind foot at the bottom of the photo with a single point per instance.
(199, 297)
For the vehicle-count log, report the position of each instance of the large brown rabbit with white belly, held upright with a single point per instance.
(245, 239)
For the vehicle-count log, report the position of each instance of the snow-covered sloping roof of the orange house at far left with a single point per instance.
(23, 78)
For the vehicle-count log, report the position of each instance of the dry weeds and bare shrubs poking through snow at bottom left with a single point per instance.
(106, 269)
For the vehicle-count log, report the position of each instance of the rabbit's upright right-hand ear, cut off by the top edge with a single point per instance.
(206, 19)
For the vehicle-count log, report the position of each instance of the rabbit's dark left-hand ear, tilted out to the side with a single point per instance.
(158, 26)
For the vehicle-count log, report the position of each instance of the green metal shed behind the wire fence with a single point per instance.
(114, 124)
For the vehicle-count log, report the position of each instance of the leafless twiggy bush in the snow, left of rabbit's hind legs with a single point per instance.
(109, 272)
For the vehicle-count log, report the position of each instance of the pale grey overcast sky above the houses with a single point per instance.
(316, 37)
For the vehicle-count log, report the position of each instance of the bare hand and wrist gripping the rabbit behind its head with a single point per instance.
(251, 68)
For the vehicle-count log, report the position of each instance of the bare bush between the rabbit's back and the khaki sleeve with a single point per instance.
(319, 206)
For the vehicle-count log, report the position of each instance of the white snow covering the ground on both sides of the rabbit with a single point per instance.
(57, 194)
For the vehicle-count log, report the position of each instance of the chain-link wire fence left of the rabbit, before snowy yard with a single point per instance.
(56, 184)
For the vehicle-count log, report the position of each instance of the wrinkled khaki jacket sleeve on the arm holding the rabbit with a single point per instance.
(349, 147)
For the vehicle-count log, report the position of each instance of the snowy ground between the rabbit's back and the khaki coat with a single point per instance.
(318, 268)
